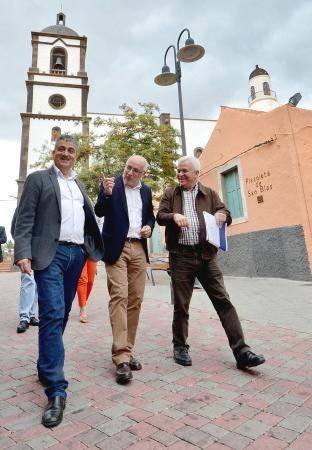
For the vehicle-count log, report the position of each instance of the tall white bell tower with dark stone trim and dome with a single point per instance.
(57, 91)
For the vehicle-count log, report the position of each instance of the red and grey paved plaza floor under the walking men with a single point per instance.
(209, 405)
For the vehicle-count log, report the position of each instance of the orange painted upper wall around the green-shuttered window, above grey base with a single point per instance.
(274, 151)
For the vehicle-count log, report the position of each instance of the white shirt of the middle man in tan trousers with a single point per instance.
(134, 203)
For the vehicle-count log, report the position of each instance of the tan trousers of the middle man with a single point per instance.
(126, 283)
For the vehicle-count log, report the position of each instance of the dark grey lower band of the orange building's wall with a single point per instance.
(278, 253)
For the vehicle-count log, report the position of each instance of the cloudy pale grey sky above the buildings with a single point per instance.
(126, 45)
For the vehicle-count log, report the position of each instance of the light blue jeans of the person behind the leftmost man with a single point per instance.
(28, 297)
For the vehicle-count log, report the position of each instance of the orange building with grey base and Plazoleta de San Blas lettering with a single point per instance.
(261, 164)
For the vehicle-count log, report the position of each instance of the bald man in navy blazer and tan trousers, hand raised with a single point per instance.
(126, 204)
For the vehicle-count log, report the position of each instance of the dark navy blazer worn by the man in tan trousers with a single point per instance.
(116, 219)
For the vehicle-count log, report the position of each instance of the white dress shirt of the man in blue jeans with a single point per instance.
(72, 213)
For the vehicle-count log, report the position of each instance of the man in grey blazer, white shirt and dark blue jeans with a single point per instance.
(55, 230)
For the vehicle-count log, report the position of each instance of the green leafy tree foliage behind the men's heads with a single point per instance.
(105, 152)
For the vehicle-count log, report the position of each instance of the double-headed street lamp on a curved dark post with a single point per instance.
(189, 53)
